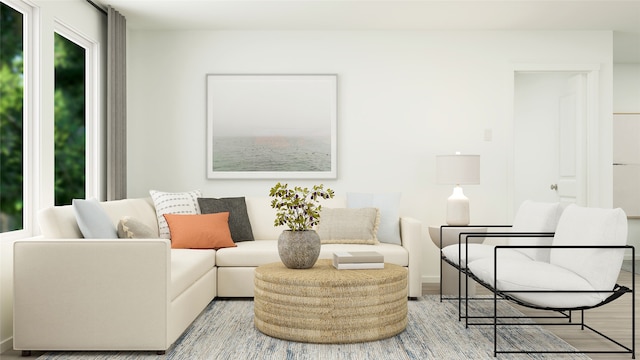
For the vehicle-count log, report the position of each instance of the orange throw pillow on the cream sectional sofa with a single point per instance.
(206, 231)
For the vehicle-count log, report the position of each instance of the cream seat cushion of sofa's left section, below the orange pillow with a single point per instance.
(187, 266)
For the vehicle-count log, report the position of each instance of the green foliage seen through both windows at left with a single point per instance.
(69, 134)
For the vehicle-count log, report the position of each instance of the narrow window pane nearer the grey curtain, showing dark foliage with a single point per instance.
(70, 124)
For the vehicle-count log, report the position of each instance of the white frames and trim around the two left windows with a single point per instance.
(40, 20)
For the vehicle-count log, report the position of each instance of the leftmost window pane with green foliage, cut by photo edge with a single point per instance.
(12, 99)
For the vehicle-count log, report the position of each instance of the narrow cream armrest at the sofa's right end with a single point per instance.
(411, 235)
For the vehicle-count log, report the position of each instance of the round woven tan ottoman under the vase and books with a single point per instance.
(326, 305)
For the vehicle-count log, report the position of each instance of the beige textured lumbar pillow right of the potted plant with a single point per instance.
(349, 226)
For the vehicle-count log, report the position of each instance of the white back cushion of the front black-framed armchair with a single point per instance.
(591, 226)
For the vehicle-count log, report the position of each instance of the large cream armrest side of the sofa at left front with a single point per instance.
(84, 294)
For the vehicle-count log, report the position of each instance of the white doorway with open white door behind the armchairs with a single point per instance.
(549, 123)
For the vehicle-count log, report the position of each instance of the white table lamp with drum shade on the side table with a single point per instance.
(459, 170)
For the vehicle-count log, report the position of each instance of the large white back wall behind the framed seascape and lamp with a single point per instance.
(404, 96)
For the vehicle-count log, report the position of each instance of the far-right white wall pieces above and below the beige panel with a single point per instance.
(626, 99)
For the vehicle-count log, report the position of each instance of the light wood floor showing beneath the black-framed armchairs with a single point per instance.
(613, 319)
